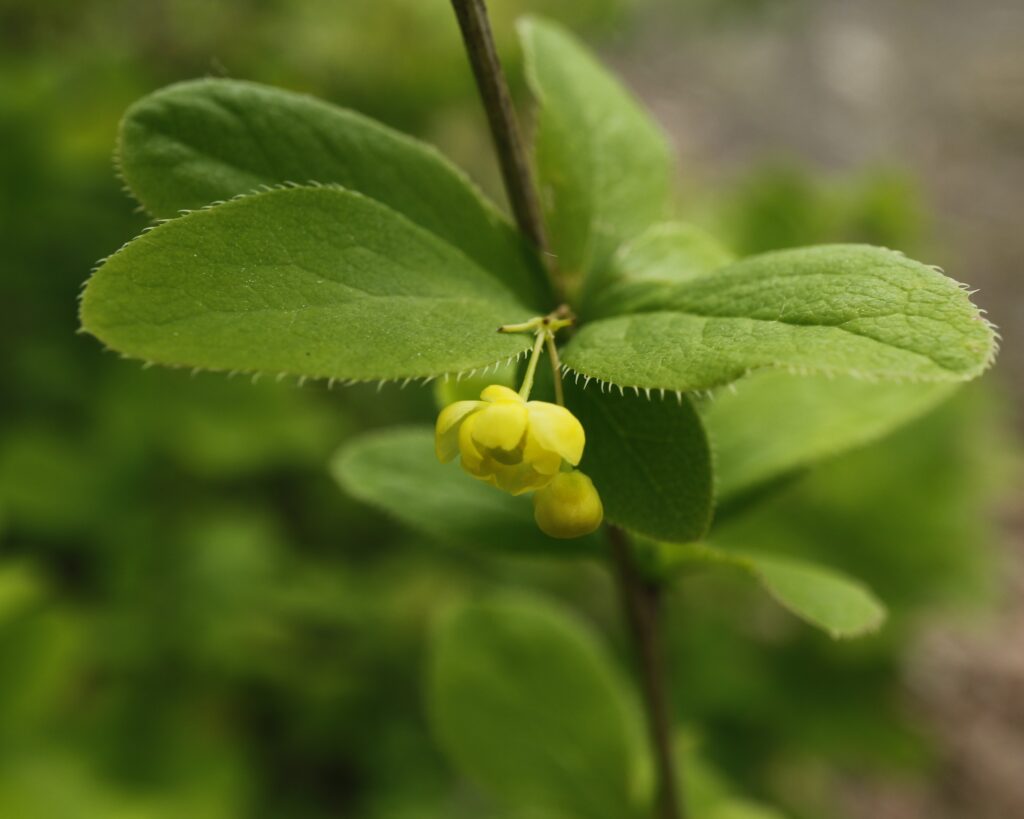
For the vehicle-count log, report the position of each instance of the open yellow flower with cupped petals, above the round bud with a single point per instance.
(515, 445)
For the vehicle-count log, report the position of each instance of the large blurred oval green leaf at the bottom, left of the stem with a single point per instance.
(528, 706)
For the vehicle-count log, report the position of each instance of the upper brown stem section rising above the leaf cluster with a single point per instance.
(491, 82)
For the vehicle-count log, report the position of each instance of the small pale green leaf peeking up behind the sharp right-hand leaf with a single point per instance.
(665, 255)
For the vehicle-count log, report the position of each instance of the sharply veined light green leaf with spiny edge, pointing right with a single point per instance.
(842, 310)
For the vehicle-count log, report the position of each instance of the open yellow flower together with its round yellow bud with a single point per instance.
(522, 447)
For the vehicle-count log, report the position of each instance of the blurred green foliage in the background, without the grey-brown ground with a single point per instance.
(194, 622)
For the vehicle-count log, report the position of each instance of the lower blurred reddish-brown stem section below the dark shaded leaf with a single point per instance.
(642, 601)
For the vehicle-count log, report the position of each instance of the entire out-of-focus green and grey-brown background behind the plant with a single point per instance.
(196, 623)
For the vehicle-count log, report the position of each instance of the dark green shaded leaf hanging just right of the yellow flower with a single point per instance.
(650, 461)
